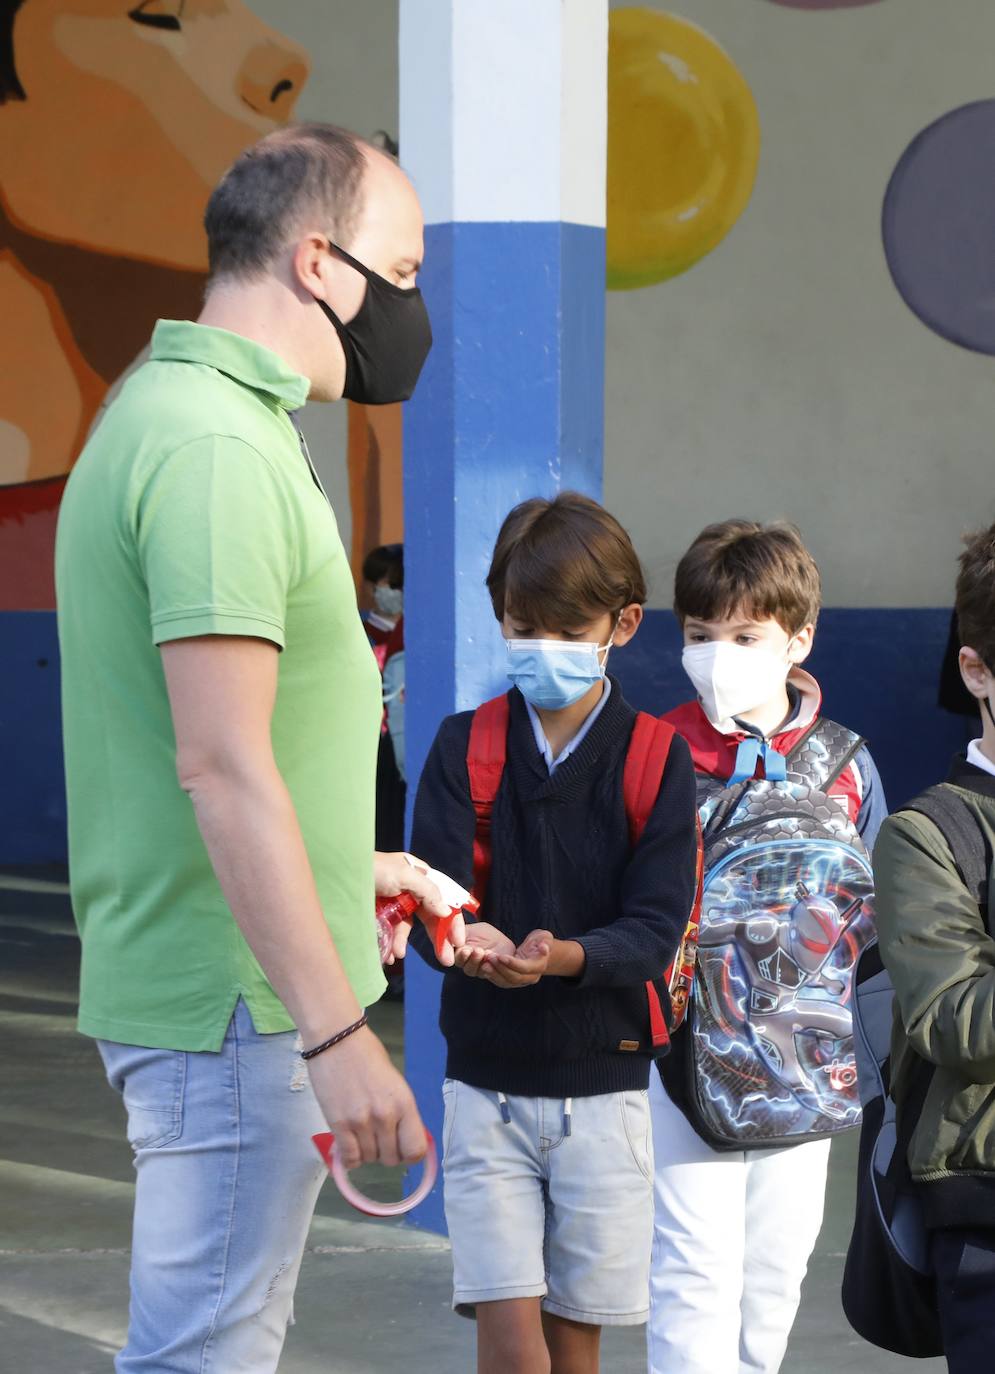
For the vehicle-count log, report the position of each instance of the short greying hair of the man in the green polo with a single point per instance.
(306, 172)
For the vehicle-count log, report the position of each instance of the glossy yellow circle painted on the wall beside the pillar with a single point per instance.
(684, 144)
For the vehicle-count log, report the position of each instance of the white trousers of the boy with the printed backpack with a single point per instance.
(732, 1239)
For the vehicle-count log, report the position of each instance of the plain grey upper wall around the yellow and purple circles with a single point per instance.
(784, 376)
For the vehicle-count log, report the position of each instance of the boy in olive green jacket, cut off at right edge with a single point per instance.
(937, 943)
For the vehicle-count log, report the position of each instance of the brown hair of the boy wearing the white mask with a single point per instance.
(763, 572)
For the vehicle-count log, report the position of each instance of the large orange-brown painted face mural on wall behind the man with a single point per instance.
(116, 122)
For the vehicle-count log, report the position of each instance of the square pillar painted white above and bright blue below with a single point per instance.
(504, 133)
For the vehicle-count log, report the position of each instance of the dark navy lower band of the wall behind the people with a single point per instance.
(879, 673)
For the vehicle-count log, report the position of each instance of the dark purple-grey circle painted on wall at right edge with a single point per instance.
(939, 226)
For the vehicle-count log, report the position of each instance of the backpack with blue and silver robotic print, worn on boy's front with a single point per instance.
(787, 910)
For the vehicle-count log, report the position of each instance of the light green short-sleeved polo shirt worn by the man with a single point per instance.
(194, 512)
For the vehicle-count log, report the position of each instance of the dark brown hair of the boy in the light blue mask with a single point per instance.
(559, 564)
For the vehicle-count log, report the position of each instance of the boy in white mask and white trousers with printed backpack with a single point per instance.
(735, 1224)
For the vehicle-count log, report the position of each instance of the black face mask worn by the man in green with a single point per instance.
(388, 341)
